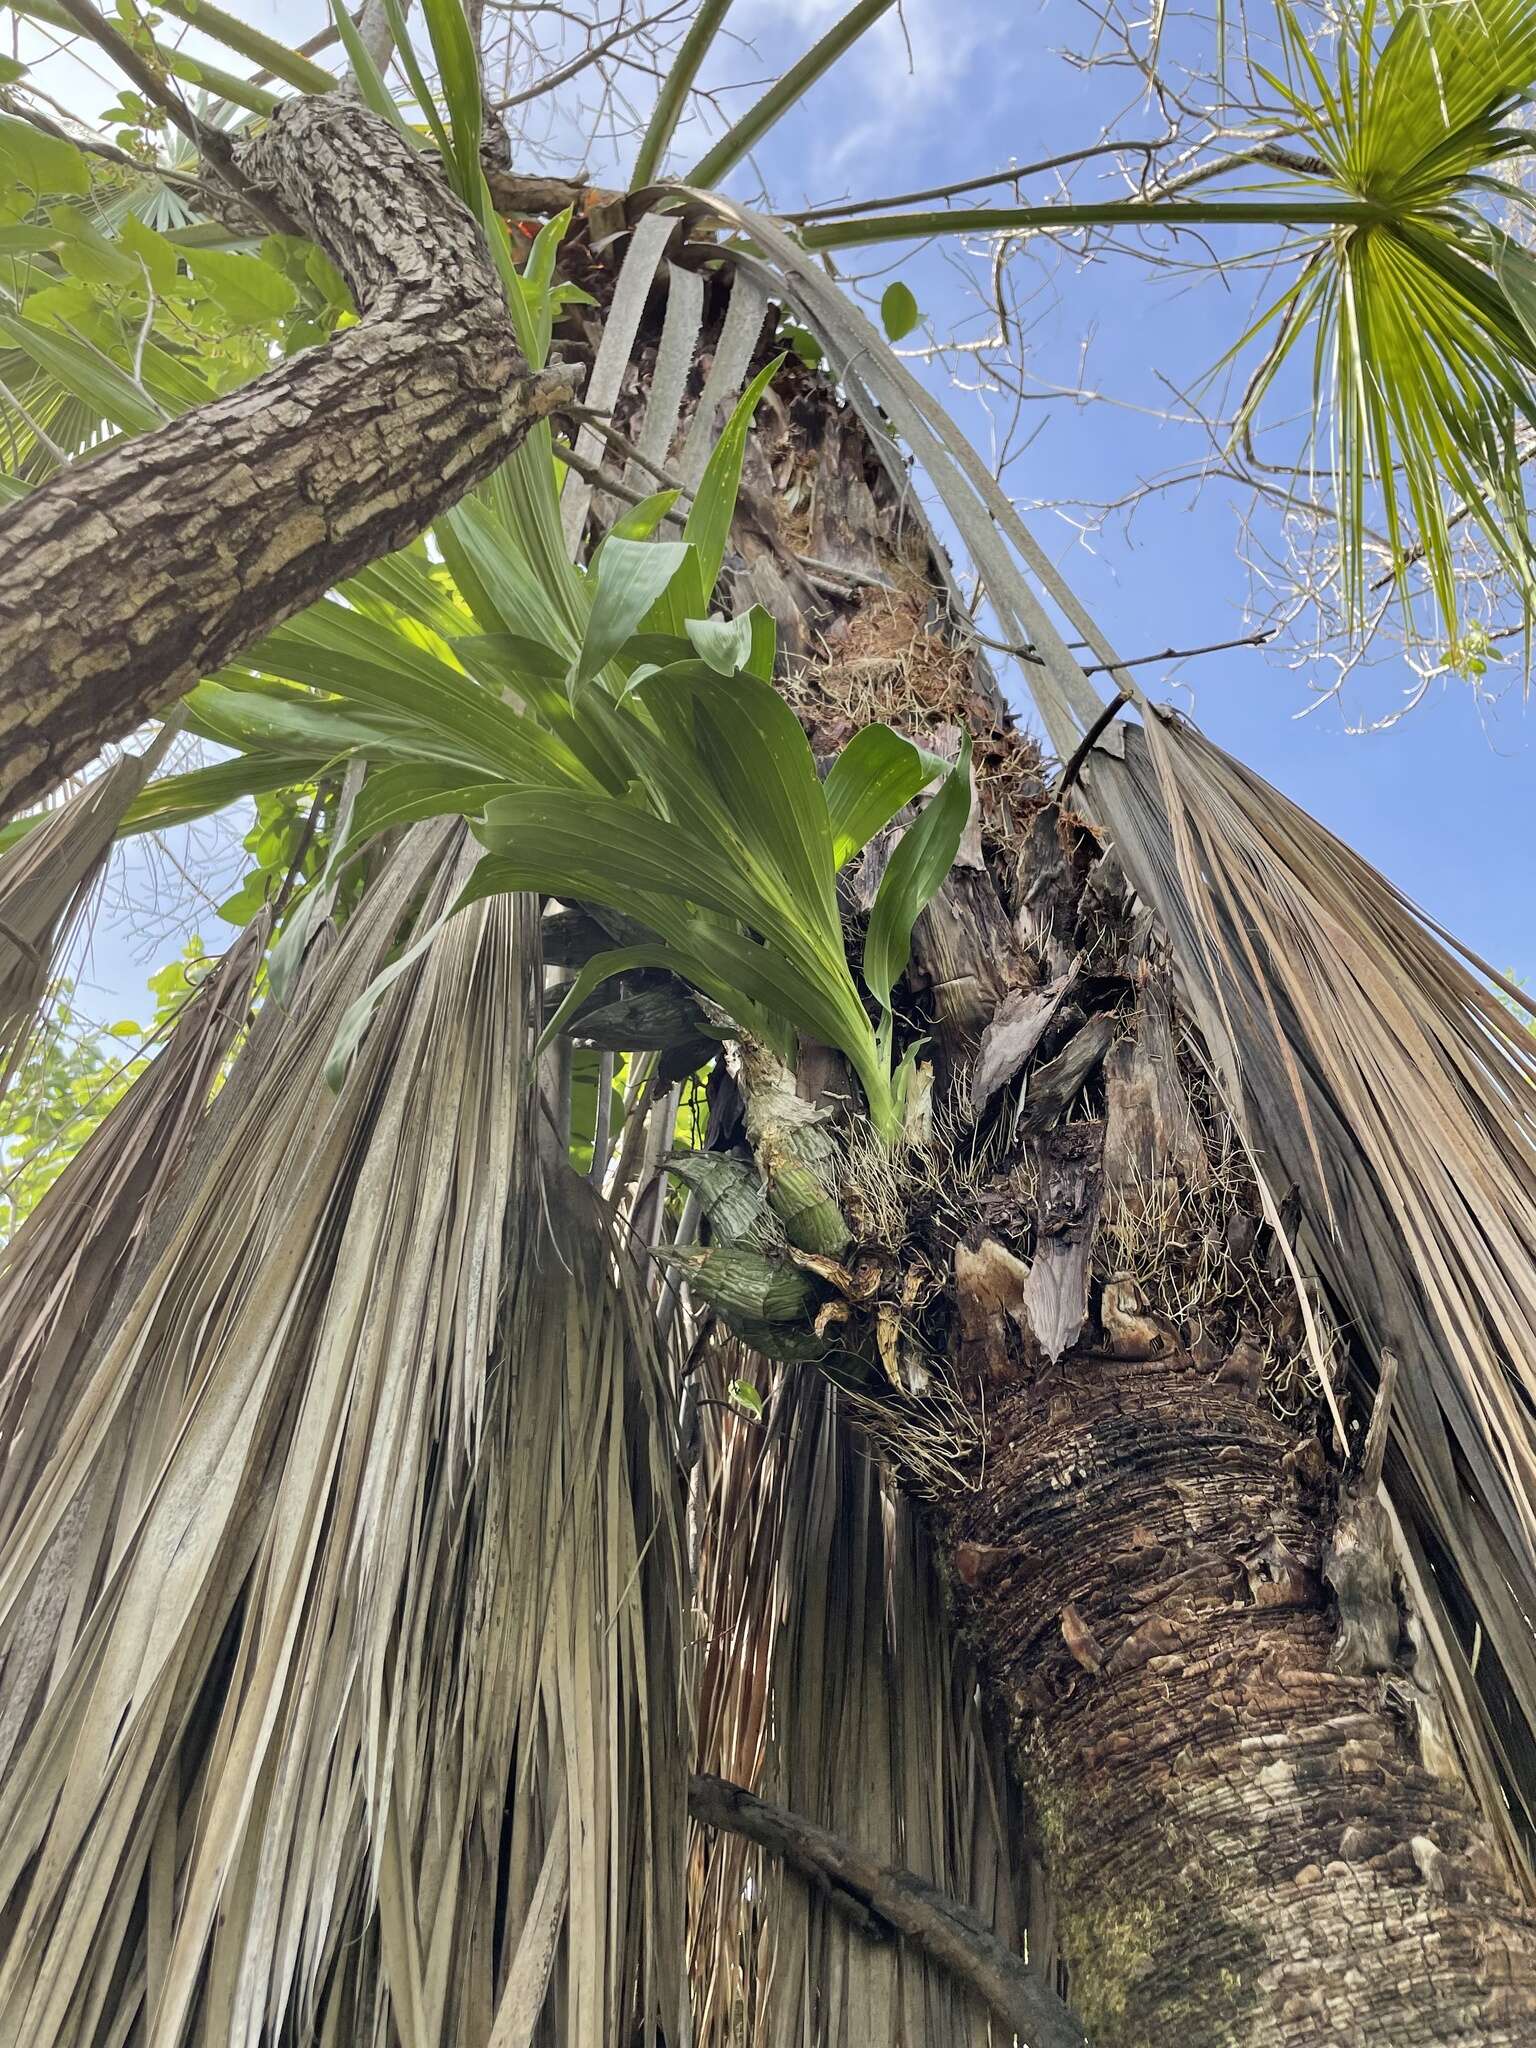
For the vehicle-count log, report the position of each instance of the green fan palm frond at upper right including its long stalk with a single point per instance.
(1416, 304)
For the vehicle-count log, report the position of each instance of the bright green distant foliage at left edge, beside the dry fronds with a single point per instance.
(73, 1074)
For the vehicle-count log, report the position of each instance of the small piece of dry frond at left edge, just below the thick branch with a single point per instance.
(46, 884)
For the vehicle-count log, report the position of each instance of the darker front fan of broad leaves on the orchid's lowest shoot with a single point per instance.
(724, 849)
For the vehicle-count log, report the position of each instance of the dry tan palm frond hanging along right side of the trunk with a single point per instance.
(1375, 1068)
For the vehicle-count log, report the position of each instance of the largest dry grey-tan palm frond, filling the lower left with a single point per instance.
(357, 1582)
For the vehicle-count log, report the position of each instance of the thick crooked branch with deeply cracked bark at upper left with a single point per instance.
(130, 577)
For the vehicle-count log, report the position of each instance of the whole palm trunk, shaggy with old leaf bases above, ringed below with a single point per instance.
(1240, 1785)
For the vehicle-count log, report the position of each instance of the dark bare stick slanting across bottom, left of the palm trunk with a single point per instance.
(927, 1918)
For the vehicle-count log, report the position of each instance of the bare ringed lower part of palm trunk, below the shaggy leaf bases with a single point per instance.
(1242, 1838)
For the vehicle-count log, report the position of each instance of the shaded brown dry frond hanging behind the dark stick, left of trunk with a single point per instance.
(830, 1682)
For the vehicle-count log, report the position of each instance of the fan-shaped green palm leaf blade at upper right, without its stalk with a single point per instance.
(1424, 366)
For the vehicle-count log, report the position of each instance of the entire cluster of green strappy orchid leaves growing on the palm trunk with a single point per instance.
(642, 763)
